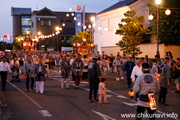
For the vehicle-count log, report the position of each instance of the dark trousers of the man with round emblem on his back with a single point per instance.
(140, 110)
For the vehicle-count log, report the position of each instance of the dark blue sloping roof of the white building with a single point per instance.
(121, 3)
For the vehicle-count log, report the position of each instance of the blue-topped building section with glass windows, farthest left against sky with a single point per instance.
(21, 20)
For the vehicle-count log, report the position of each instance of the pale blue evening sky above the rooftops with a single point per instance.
(54, 5)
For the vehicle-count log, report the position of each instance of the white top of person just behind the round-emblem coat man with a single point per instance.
(136, 71)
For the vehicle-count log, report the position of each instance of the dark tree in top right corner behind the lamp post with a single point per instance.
(169, 26)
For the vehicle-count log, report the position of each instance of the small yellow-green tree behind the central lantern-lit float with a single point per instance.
(79, 38)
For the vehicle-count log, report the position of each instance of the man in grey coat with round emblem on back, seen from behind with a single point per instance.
(145, 84)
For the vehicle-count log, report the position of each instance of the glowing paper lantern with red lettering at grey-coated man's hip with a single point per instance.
(152, 101)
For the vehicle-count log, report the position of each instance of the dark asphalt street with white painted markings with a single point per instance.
(73, 104)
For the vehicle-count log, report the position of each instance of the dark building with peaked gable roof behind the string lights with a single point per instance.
(45, 21)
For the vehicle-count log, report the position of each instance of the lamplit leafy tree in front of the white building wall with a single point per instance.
(132, 32)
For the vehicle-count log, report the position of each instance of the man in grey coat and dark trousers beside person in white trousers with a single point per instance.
(28, 68)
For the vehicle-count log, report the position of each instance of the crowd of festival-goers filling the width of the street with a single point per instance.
(144, 75)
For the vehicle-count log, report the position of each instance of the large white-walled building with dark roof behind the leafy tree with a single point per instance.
(107, 23)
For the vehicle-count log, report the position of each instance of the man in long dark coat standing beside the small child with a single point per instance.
(94, 77)
